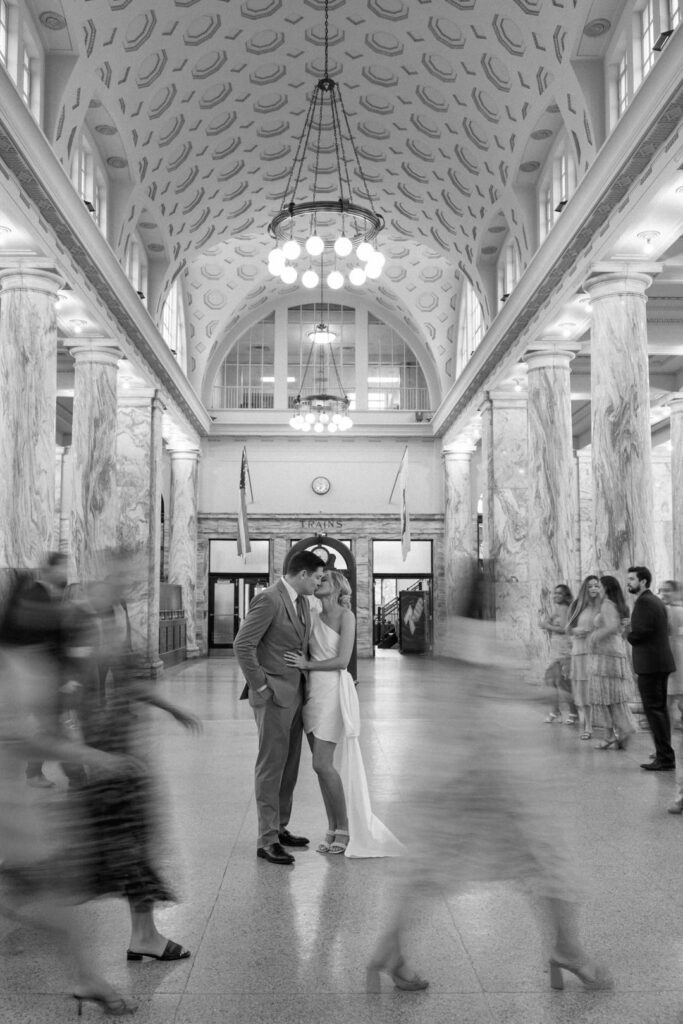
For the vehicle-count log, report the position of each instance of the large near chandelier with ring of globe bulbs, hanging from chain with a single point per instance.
(329, 238)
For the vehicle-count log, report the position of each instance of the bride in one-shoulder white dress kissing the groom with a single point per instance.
(332, 723)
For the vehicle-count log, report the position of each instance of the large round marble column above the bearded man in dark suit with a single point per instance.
(620, 412)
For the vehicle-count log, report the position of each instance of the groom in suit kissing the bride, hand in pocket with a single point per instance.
(278, 621)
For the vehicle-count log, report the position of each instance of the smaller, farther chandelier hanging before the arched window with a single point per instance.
(321, 413)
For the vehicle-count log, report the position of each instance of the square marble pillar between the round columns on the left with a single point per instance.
(139, 531)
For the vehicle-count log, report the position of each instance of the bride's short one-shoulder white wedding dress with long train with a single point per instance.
(332, 713)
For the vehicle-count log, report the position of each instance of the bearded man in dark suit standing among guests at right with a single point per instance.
(653, 662)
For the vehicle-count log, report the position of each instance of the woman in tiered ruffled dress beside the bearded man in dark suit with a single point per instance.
(612, 684)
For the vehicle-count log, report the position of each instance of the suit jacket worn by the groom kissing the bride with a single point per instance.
(272, 628)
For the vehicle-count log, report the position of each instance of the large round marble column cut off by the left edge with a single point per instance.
(28, 397)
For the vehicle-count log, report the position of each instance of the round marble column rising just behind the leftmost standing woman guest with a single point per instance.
(551, 492)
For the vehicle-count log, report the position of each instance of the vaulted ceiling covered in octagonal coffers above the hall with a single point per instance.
(197, 105)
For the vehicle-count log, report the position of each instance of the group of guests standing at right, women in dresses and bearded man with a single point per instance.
(590, 666)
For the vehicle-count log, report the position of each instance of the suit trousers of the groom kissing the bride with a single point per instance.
(280, 734)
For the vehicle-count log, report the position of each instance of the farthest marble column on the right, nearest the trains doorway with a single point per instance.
(459, 538)
